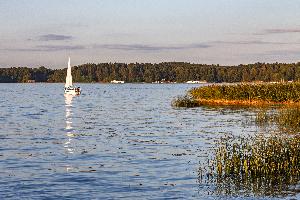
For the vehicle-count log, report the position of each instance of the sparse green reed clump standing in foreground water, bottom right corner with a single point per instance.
(259, 166)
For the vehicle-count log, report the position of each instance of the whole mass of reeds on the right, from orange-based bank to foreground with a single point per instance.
(264, 164)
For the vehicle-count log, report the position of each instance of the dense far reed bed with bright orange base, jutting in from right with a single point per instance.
(247, 94)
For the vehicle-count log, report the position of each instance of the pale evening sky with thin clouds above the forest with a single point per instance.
(37, 33)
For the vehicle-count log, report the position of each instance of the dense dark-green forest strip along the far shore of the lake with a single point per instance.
(147, 72)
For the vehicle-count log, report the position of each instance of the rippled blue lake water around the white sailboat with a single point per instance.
(113, 141)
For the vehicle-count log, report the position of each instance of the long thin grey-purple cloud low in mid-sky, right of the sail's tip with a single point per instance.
(142, 47)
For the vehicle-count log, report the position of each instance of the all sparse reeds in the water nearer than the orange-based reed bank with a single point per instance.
(264, 164)
